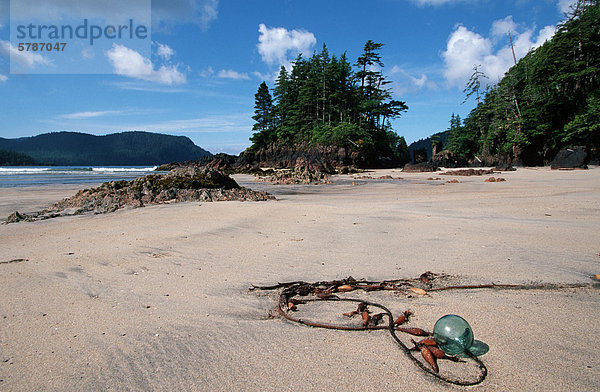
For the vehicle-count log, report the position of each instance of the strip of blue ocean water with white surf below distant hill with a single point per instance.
(12, 176)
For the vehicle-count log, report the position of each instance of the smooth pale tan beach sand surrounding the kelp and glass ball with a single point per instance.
(157, 298)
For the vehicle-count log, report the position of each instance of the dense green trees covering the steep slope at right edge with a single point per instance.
(548, 101)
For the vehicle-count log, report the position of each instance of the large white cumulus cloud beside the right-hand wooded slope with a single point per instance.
(466, 48)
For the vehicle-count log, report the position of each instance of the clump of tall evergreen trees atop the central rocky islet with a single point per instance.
(323, 101)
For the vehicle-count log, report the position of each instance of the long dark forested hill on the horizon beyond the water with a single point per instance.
(117, 149)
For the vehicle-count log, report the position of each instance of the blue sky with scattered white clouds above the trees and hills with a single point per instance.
(206, 59)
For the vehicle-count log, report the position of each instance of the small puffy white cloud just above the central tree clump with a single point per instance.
(277, 43)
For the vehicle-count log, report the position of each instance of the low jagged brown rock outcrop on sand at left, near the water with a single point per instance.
(184, 183)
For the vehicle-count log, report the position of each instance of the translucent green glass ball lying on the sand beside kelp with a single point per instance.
(453, 334)
